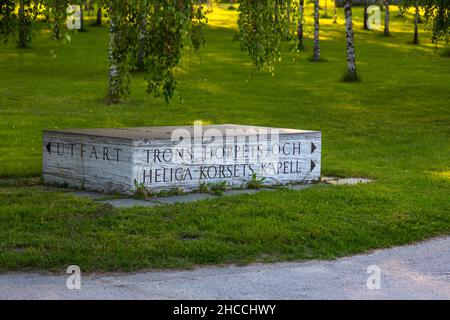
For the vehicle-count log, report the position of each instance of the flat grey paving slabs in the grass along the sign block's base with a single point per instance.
(192, 197)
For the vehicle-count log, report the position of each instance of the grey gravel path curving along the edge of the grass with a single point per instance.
(420, 271)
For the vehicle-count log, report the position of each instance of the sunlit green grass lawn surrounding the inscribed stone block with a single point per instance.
(394, 127)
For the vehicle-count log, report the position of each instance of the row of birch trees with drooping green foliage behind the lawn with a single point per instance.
(151, 35)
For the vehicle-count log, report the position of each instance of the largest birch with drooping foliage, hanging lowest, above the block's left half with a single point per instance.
(162, 30)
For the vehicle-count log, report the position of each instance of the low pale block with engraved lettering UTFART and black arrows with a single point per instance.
(163, 158)
